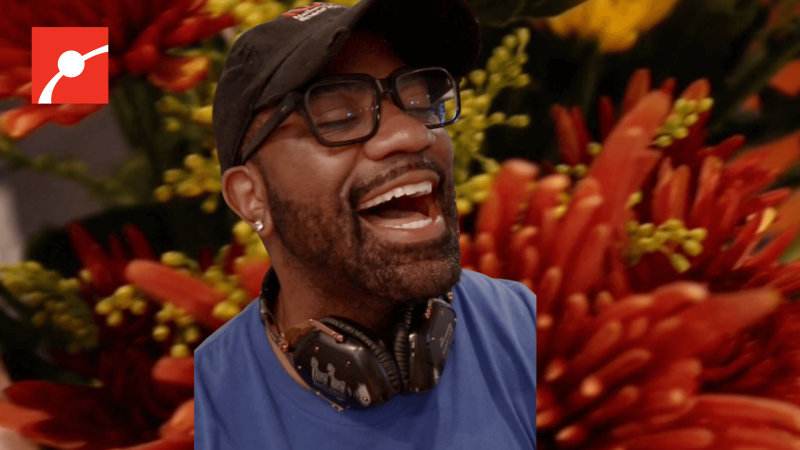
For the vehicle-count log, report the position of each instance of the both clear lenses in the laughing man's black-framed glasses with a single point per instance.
(345, 110)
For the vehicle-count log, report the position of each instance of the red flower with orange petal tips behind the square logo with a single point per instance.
(139, 34)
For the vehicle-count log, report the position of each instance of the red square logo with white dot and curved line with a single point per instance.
(70, 65)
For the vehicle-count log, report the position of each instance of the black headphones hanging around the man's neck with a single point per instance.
(347, 367)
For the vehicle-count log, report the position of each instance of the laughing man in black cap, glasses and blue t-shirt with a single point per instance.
(330, 131)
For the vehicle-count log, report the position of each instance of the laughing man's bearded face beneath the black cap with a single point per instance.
(327, 203)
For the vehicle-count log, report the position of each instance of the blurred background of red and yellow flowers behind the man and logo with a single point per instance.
(634, 162)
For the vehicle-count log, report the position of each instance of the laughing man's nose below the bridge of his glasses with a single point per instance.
(397, 132)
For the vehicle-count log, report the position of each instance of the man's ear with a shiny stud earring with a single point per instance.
(245, 191)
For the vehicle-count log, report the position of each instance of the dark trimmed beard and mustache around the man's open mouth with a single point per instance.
(329, 240)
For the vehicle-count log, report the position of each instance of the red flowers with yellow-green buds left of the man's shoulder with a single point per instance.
(140, 319)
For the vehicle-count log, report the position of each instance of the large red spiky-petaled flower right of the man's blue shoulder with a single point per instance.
(674, 341)
